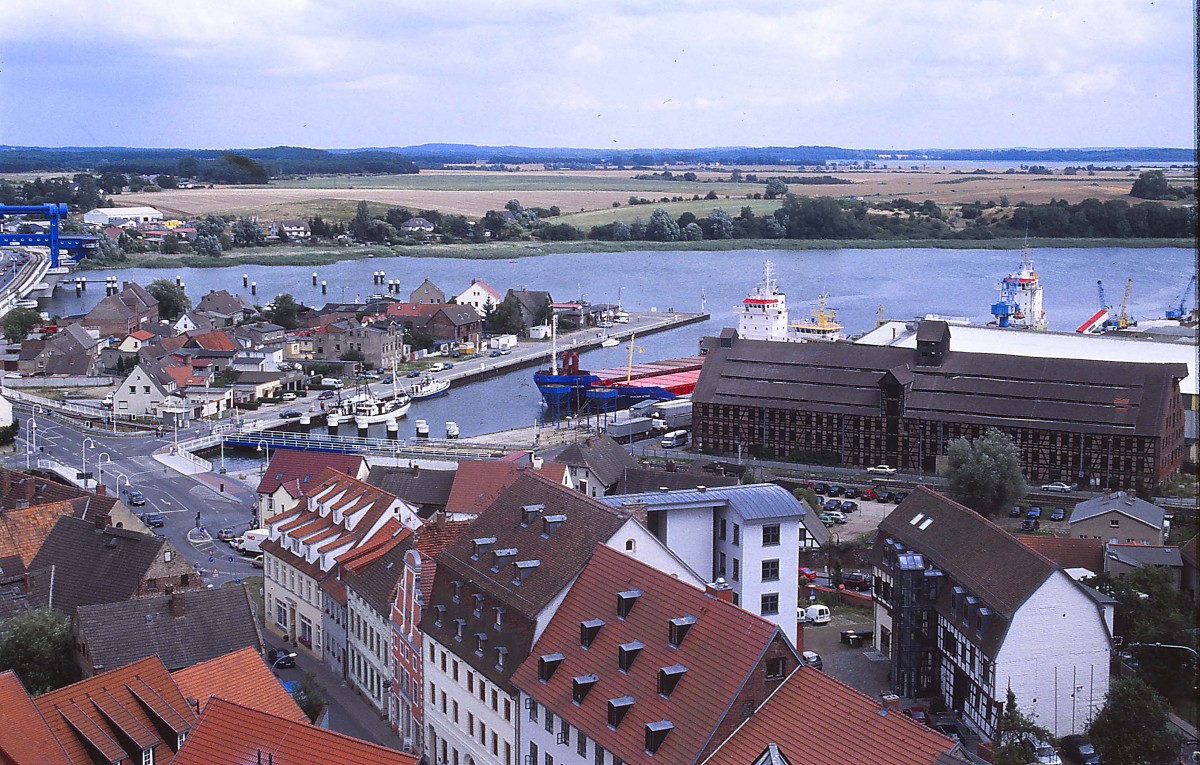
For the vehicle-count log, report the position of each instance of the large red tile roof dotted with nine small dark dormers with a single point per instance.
(722, 650)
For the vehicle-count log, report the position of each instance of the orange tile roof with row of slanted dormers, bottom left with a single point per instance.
(131, 703)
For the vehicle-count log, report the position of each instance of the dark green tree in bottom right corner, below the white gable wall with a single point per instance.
(1133, 728)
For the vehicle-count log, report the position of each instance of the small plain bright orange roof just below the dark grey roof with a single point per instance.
(243, 678)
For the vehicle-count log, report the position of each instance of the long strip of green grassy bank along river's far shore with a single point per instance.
(511, 251)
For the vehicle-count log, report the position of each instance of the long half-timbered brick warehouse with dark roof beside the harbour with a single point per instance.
(860, 406)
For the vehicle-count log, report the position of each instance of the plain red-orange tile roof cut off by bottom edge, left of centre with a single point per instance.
(229, 734)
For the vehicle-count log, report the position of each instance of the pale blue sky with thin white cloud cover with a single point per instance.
(683, 74)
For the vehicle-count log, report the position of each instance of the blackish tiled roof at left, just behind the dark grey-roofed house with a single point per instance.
(94, 565)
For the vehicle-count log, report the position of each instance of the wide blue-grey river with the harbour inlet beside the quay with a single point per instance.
(908, 282)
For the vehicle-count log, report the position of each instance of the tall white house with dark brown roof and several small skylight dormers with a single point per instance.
(496, 589)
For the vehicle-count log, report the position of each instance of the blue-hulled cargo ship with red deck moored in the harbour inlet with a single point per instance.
(567, 389)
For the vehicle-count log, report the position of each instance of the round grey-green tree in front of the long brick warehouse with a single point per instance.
(986, 473)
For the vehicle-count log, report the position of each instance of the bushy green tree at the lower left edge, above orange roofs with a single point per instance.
(38, 647)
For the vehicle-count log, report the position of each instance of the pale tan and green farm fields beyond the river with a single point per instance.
(593, 192)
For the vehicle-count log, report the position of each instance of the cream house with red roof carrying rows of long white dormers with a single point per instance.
(338, 516)
